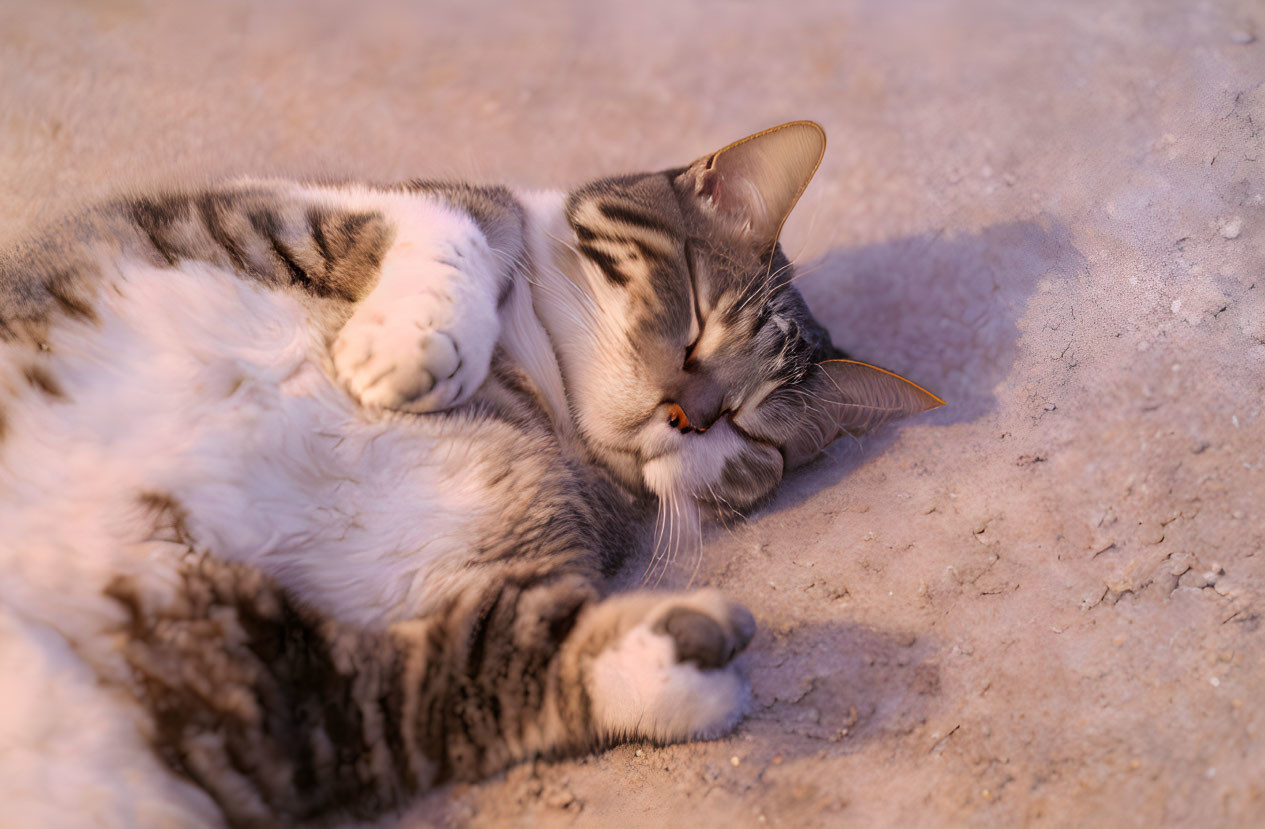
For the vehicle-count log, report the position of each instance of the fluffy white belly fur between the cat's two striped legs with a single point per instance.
(216, 392)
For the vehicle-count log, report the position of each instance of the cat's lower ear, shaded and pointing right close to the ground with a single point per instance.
(851, 398)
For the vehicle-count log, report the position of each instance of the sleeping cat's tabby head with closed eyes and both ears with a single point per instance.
(693, 365)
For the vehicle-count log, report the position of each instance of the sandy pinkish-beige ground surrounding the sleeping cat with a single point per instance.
(1039, 606)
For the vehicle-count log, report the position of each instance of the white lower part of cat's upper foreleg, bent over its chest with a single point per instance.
(423, 339)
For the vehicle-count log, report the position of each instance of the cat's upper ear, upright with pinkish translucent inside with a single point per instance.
(751, 187)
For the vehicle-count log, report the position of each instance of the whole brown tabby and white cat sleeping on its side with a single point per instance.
(309, 494)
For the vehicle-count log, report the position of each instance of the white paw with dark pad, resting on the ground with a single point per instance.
(671, 676)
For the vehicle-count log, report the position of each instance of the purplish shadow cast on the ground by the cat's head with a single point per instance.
(941, 309)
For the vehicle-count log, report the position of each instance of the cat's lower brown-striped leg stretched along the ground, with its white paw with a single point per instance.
(284, 716)
